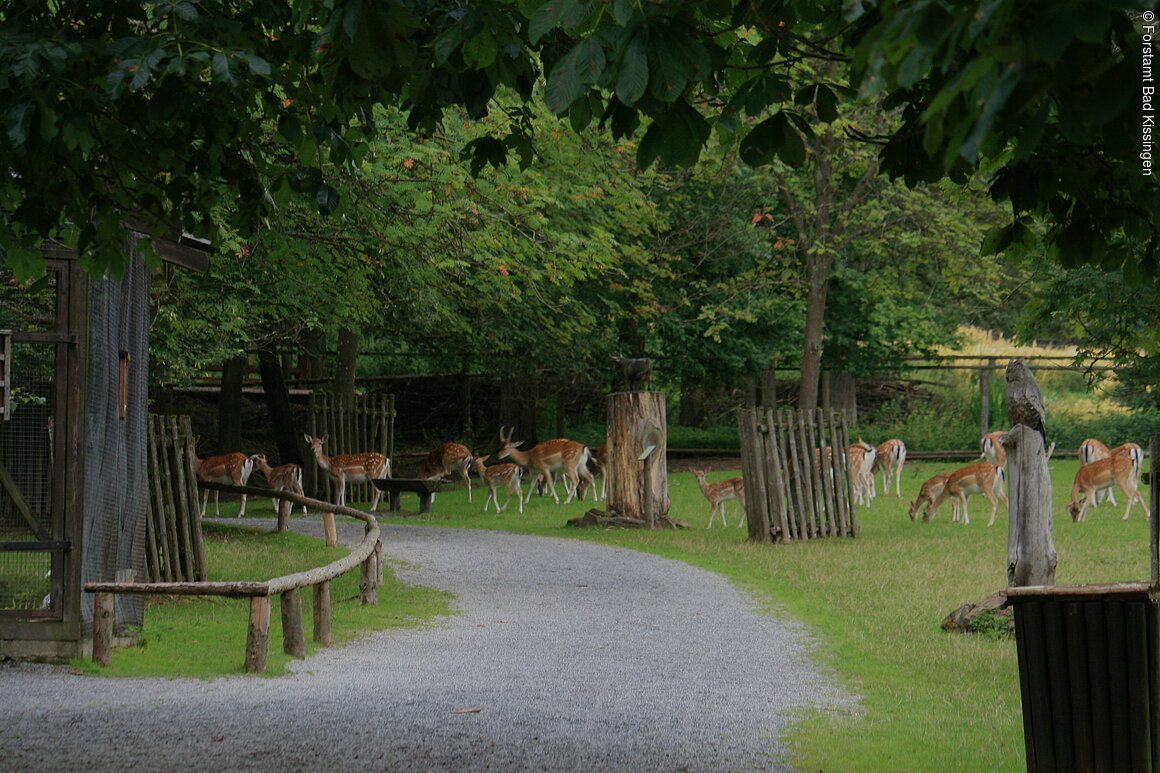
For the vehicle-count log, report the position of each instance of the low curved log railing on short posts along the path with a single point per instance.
(366, 554)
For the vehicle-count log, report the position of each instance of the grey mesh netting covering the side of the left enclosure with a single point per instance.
(117, 483)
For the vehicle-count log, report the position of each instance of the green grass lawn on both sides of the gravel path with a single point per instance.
(931, 700)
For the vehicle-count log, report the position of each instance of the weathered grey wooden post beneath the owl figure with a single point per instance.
(1031, 546)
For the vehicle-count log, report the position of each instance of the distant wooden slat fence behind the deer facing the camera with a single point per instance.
(368, 427)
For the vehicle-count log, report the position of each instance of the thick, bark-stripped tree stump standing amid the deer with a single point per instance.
(637, 488)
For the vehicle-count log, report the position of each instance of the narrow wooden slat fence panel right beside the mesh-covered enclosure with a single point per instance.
(173, 531)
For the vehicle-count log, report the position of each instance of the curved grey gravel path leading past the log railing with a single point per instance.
(565, 656)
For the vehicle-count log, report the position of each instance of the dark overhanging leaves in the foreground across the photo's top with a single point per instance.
(170, 110)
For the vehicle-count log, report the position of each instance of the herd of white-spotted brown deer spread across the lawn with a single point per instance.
(1101, 472)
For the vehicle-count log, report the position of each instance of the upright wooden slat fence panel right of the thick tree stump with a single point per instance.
(793, 492)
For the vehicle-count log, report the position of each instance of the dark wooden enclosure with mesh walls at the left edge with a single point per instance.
(74, 481)
